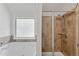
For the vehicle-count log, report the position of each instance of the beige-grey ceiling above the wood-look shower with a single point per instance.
(58, 6)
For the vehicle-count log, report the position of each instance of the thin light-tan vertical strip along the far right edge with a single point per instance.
(77, 30)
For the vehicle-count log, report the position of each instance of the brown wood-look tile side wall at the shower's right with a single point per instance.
(68, 43)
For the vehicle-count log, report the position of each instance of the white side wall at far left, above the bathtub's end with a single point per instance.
(4, 23)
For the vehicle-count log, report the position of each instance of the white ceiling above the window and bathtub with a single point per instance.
(21, 8)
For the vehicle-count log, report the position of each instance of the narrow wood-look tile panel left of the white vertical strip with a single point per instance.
(47, 33)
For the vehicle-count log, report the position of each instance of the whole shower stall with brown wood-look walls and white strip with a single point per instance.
(64, 41)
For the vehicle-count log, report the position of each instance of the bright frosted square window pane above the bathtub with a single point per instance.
(25, 28)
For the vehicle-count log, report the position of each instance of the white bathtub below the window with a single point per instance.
(18, 49)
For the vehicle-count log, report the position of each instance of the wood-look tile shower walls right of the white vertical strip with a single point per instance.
(65, 34)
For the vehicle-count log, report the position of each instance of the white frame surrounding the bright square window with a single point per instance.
(25, 38)
